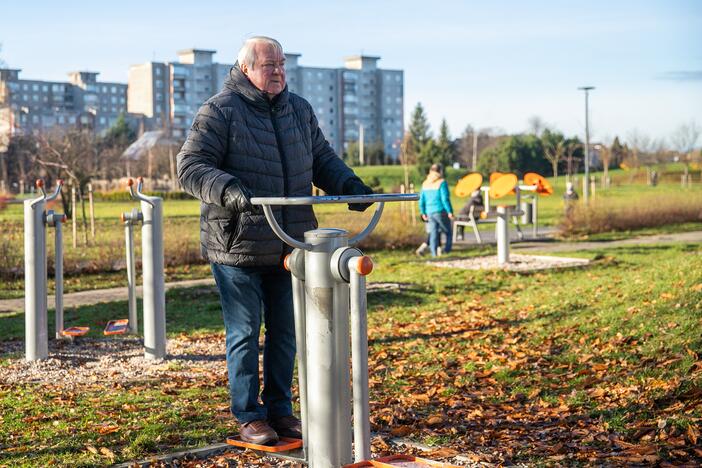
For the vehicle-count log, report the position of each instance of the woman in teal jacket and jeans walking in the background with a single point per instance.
(435, 208)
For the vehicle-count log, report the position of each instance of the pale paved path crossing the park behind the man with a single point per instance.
(544, 243)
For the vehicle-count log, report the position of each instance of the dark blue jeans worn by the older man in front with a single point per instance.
(248, 295)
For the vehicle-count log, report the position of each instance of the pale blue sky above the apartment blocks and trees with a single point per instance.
(488, 64)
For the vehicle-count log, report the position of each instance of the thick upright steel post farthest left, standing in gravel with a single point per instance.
(36, 333)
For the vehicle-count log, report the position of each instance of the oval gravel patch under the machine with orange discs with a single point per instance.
(517, 262)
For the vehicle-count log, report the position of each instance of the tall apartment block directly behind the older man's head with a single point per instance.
(169, 94)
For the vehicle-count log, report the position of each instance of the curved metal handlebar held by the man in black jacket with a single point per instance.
(267, 202)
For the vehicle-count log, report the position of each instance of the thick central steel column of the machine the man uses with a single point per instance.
(331, 435)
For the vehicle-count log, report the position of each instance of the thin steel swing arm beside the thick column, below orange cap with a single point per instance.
(359, 353)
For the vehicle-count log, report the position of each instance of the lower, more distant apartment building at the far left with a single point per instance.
(83, 101)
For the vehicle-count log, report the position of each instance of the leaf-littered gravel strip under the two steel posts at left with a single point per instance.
(89, 361)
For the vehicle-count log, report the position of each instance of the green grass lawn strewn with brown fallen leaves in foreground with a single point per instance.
(597, 365)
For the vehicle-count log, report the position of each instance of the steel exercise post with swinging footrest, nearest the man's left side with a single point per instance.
(154, 290)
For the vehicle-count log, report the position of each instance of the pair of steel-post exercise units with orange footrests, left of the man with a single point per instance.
(36, 219)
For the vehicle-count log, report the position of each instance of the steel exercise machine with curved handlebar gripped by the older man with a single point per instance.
(328, 283)
